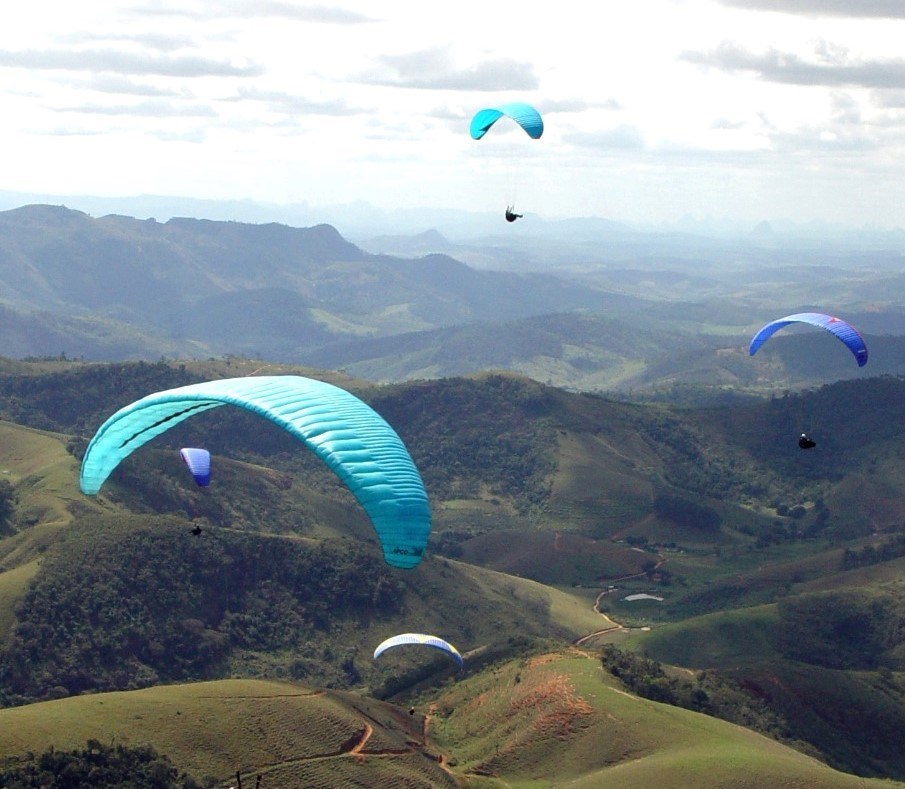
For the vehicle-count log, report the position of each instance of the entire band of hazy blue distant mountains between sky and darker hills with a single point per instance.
(115, 287)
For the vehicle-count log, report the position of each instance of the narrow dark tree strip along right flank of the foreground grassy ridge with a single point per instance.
(706, 691)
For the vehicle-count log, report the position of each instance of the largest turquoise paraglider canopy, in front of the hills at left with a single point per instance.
(348, 435)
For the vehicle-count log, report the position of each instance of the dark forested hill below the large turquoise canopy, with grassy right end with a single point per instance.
(129, 601)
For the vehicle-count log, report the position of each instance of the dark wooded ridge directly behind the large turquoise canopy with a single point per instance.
(464, 434)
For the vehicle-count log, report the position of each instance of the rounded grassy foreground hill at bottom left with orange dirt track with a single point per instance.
(292, 735)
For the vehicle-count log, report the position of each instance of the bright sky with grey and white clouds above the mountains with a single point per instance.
(654, 109)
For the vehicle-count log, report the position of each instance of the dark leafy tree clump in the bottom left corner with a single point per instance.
(96, 765)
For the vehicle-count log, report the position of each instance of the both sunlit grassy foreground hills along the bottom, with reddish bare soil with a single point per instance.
(551, 719)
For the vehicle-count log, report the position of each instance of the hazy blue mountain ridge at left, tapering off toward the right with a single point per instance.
(228, 287)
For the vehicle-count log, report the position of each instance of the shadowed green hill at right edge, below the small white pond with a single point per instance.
(829, 652)
